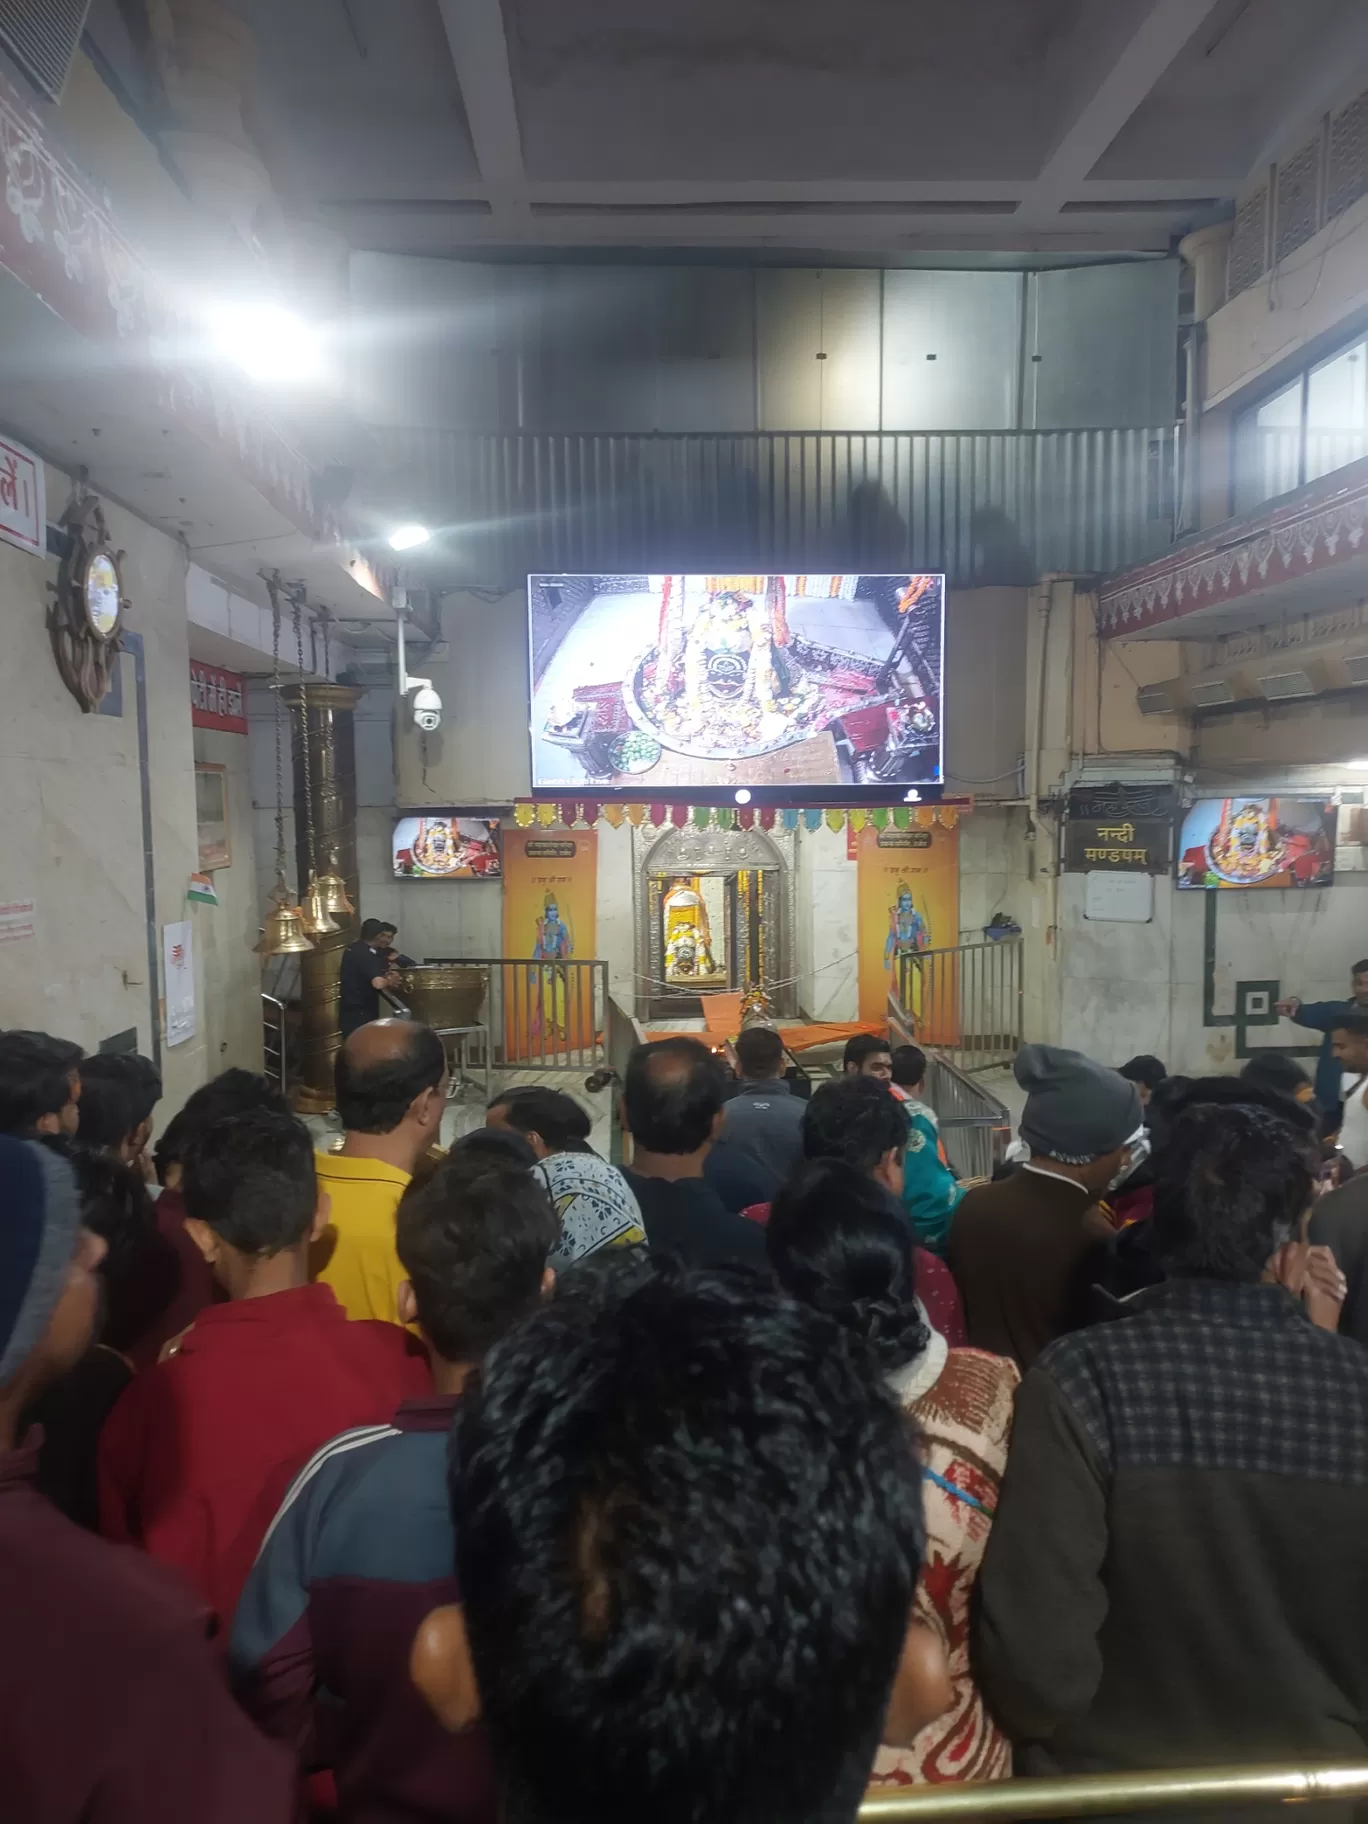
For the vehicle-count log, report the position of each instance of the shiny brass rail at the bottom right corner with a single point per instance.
(1097, 1794)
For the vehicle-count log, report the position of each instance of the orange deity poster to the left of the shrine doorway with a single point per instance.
(550, 906)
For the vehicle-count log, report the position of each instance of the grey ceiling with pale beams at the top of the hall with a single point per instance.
(889, 129)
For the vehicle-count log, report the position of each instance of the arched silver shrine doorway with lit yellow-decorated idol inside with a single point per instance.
(714, 915)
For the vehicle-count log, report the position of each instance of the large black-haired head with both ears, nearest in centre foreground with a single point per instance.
(659, 1619)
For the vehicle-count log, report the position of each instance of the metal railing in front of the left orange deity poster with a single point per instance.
(543, 1015)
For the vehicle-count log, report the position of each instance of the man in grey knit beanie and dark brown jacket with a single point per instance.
(1024, 1250)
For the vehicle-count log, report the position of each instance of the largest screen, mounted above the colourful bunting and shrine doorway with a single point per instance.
(807, 689)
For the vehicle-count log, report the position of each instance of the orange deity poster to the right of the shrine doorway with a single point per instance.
(909, 904)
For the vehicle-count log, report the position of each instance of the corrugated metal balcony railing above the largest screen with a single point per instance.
(982, 506)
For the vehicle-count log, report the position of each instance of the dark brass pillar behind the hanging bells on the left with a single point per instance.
(322, 716)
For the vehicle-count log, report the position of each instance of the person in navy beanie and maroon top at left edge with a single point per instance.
(116, 1701)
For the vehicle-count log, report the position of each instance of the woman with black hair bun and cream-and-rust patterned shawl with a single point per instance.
(834, 1243)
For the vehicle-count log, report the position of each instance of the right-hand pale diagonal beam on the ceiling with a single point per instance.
(1112, 98)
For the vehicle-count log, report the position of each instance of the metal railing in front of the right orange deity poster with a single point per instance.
(966, 1002)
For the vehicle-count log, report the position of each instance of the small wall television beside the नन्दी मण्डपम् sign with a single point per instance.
(1258, 842)
